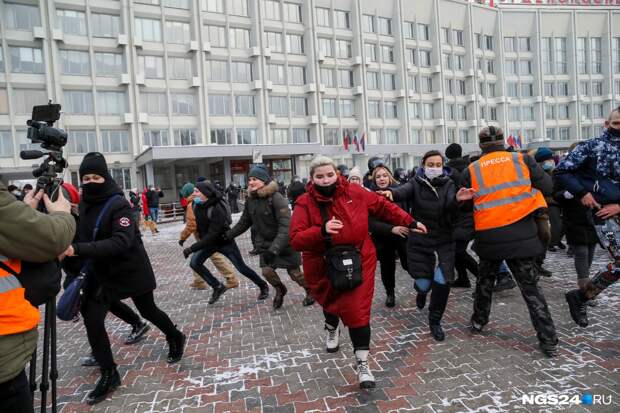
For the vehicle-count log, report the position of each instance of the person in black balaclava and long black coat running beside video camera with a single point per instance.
(118, 267)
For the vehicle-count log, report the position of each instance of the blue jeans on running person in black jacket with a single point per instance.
(230, 251)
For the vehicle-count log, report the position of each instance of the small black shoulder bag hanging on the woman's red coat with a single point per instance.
(344, 262)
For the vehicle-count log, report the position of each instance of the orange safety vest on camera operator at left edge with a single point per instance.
(16, 313)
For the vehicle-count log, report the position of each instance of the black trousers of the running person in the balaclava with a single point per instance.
(95, 311)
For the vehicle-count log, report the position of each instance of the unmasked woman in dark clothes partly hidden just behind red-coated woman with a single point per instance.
(390, 240)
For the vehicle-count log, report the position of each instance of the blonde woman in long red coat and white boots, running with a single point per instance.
(349, 207)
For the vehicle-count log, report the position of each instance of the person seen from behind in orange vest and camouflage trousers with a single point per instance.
(506, 190)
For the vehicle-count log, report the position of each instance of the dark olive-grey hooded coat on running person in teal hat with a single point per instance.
(267, 212)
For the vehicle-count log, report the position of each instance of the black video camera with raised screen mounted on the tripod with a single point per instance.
(41, 130)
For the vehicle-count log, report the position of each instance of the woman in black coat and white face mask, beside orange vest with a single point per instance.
(432, 194)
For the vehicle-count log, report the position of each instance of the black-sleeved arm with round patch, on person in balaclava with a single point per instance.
(119, 242)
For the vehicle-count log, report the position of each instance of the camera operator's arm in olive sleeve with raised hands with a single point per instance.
(30, 235)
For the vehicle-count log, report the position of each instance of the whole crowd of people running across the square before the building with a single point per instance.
(507, 207)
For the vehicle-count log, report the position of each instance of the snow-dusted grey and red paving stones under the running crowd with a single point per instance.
(242, 356)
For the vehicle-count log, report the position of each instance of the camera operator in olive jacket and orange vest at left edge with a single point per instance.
(29, 235)
